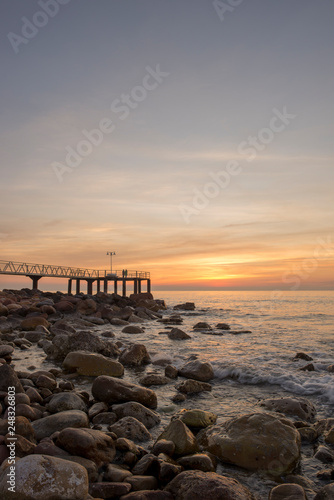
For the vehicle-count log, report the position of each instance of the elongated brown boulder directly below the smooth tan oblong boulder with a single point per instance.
(112, 390)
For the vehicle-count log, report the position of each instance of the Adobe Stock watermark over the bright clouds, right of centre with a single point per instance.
(249, 148)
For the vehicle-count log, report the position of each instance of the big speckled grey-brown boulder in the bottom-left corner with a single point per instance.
(38, 477)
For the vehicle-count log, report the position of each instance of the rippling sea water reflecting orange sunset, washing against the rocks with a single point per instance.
(253, 361)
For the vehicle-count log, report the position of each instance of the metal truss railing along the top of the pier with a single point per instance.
(26, 269)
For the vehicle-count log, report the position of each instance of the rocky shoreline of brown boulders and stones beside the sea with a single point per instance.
(70, 443)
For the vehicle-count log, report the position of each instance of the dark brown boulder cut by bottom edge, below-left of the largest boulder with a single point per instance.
(197, 485)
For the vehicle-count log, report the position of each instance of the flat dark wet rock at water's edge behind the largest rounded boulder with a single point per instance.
(296, 407)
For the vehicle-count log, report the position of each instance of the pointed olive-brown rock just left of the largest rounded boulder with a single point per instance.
(182, 437)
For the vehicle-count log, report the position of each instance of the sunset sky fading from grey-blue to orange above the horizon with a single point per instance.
(194, 138)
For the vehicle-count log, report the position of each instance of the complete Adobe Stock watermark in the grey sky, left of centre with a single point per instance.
(122, 107)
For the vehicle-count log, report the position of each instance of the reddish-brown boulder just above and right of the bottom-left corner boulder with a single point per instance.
(88, 443)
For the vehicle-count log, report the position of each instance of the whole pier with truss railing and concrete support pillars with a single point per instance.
(75, 274)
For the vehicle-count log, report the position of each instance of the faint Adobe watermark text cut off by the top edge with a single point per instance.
(30, 27)
